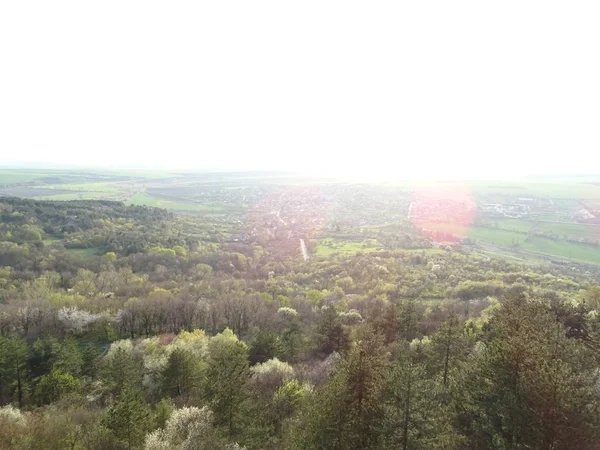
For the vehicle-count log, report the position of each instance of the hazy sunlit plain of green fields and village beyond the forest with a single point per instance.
(520, 218)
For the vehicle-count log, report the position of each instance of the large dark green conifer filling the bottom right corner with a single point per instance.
(531, 385)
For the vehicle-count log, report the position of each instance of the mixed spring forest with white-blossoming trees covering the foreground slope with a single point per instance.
(121, 328)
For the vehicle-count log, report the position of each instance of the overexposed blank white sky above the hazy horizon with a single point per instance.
(400, 89)
